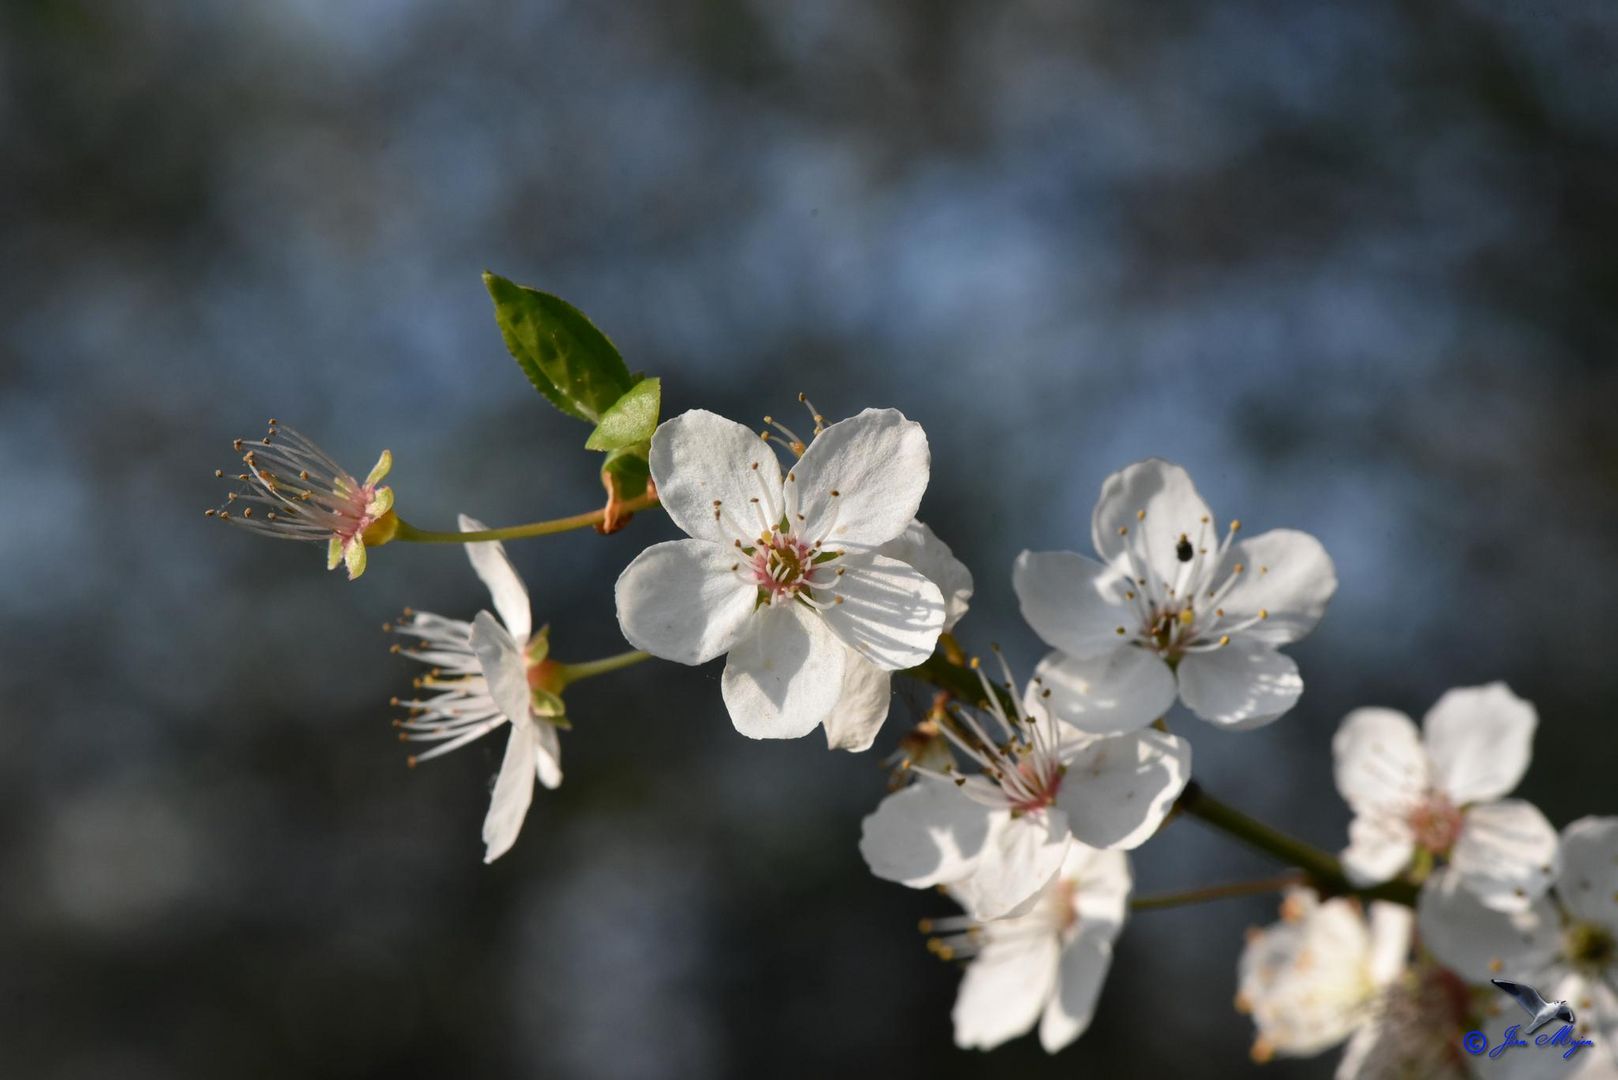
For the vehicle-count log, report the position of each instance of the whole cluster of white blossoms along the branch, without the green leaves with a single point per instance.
(807, 569)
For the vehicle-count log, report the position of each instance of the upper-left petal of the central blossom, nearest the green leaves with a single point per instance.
(701, 457)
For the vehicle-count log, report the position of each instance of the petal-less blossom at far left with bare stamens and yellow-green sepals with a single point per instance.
(295, 491)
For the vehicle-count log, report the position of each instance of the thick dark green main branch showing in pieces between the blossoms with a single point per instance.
(1324, 870)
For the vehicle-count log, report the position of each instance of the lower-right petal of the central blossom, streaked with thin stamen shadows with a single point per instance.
(884, 610)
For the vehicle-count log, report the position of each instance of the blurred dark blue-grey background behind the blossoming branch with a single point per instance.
(1353, 265)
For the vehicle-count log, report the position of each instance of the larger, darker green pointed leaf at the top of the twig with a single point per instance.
(561, 352)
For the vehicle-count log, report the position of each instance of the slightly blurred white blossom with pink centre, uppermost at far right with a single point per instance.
(1438, 794)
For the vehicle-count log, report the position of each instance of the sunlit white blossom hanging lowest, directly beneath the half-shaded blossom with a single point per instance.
(1043, 967)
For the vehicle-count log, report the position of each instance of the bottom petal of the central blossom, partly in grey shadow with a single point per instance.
(784, 674)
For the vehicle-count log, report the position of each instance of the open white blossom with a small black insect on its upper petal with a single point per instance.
(1172, 610)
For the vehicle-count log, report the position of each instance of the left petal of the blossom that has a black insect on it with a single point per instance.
(1074, 603)
